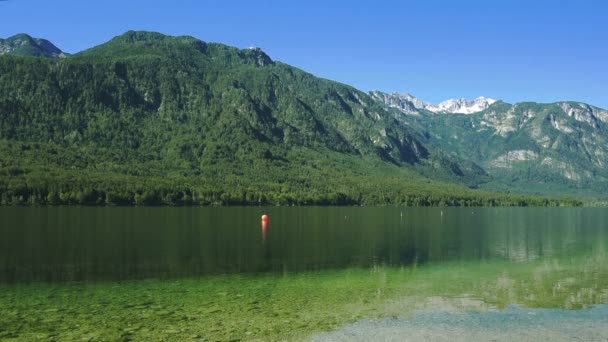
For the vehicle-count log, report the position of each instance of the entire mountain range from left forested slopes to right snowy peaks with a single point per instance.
(153, 119)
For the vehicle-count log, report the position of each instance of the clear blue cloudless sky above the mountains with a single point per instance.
(514, 50)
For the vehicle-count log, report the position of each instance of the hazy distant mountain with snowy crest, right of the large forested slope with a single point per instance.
(555, 148)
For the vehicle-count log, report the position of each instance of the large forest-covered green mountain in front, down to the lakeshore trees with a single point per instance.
(148, 119)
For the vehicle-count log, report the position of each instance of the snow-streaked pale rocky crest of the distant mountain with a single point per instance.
(411, 104)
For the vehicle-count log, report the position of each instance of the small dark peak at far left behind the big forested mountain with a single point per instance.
(24, 45)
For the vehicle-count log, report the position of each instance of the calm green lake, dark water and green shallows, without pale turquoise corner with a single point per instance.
(143, 273)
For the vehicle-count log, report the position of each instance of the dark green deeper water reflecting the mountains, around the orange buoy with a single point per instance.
(86, 244)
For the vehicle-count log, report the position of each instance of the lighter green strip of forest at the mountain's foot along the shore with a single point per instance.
(310, 177)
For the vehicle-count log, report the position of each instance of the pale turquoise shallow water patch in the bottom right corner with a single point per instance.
(514, 323)
